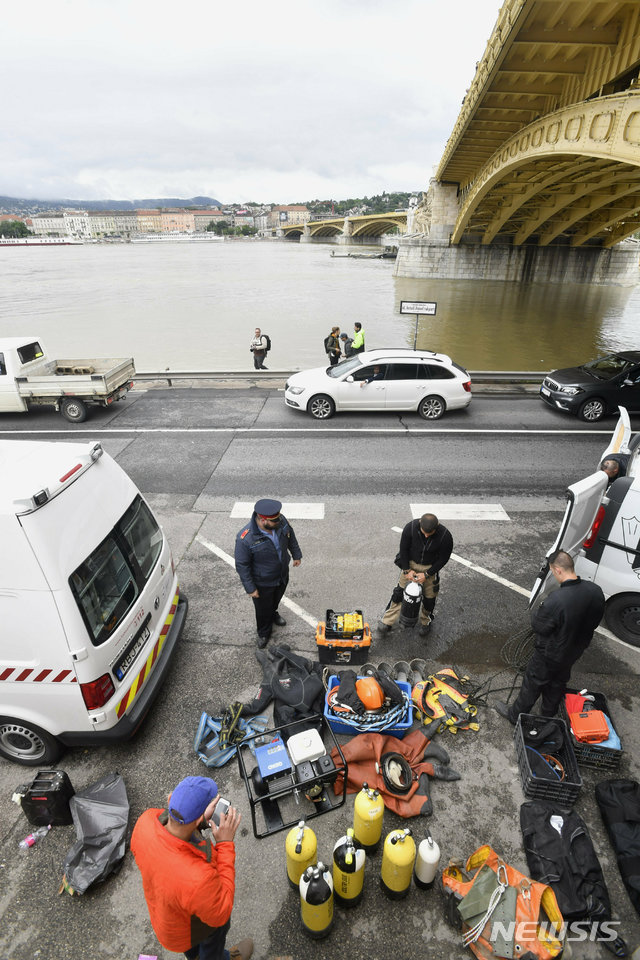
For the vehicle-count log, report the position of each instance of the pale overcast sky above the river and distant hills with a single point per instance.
(239, 100)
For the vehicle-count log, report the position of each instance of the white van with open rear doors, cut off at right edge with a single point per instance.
(601, 531)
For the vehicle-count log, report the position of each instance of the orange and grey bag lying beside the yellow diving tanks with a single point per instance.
(502, 912)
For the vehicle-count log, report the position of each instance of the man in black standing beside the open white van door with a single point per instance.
(563, 625)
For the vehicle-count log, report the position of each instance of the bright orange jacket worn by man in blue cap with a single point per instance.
(189, 889)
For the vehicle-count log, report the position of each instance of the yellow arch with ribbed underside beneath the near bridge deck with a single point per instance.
(574, 174)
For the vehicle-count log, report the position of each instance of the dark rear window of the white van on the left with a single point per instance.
(110, 580)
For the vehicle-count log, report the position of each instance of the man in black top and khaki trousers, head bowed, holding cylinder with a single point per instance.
(425, 547)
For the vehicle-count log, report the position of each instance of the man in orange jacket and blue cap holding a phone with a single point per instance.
(188, 884)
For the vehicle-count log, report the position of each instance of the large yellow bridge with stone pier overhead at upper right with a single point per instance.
(544, 158)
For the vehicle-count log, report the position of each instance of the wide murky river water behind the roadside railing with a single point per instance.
(184, 306)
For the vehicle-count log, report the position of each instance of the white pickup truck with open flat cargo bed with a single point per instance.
(29, 378)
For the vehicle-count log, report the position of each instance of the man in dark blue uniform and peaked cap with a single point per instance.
(263, 551)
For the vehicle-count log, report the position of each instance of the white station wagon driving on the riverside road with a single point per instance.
(384, 379)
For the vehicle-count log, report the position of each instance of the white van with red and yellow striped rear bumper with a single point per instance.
(90, 610)
